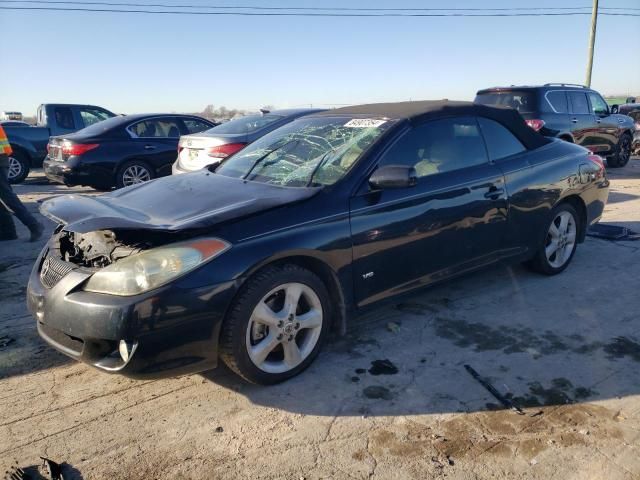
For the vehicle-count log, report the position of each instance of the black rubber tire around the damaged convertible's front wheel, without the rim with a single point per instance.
(233, 337)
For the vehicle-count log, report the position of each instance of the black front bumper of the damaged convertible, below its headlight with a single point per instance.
(170, 331)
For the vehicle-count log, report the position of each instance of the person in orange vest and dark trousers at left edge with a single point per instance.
(9, 201)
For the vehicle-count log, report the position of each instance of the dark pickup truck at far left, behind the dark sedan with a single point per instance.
(29, 144)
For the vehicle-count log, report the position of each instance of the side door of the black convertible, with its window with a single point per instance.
(454, 218)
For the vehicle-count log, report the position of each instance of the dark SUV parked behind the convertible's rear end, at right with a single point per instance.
(574, 113)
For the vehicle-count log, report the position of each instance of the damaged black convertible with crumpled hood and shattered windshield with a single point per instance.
(255, 260)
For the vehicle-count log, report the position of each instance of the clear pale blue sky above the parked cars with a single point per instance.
(138, 63)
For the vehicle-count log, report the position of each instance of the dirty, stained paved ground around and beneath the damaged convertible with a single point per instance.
(566, 348)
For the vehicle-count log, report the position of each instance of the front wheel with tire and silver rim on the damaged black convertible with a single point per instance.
(259, 339)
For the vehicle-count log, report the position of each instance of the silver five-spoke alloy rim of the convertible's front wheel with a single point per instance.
(284, 328)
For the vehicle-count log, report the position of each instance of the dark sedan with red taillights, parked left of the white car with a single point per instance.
(121, 151)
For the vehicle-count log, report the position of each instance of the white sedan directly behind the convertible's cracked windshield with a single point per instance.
(214, 145)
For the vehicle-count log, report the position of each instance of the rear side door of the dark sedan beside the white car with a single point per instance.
(155, 141)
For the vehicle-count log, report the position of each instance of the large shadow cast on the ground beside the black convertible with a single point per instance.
(409, 357)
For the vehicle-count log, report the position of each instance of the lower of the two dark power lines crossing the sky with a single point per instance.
(304, 14)
